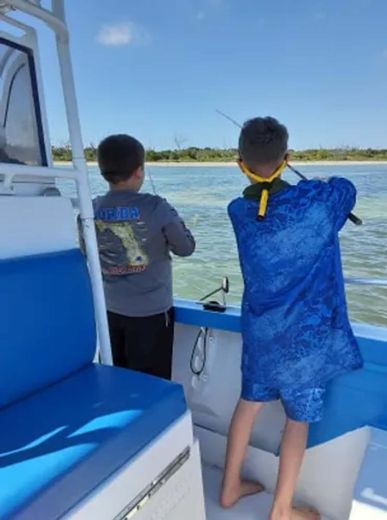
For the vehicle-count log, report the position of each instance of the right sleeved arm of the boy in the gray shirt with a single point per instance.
(178, 236)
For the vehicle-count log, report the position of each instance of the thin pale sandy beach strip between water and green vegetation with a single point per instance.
(218, 164)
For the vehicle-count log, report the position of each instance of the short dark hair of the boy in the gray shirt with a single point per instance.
(119, 156)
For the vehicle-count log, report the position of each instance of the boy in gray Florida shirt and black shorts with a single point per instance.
(136, 233)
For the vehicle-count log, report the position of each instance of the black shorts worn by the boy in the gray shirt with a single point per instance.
(144, 344)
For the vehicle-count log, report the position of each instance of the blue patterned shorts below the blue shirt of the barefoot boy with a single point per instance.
(303, 405)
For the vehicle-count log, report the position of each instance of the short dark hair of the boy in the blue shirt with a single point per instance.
(262, 140)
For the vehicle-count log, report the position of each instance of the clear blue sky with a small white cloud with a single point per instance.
(159, 69)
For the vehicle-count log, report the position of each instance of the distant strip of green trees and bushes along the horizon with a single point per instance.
(194, 154)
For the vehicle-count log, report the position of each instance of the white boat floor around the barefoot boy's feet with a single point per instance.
(256, 507)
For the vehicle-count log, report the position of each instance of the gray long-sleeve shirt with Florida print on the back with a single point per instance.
(136, 233)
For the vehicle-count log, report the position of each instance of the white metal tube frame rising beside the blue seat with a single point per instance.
(55, 19)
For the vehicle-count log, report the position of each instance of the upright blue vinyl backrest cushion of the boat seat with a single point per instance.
(47, 321)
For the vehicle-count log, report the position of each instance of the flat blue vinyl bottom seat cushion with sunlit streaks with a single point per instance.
(57, 445)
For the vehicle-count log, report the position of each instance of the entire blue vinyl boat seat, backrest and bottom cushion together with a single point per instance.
(66, 424)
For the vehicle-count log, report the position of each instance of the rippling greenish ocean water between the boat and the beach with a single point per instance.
(201, 194)
